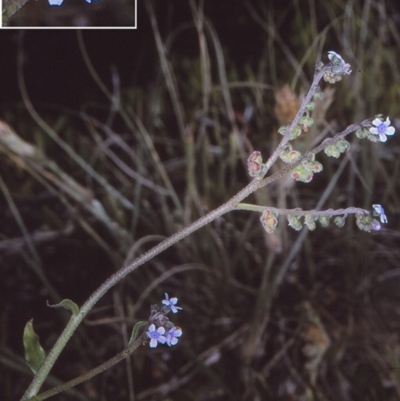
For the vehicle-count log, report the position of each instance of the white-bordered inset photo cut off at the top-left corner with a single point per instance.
(69, 13)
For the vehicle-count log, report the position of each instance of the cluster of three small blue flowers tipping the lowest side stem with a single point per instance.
(161, 330)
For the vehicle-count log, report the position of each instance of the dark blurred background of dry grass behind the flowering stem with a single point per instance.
(111, 141)
